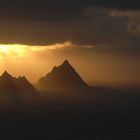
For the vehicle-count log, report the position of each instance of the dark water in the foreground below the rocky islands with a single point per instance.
(84, 115)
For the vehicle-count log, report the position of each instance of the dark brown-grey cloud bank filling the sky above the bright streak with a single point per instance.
(94, 22)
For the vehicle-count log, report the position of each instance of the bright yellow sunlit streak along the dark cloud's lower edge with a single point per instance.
(15, 51)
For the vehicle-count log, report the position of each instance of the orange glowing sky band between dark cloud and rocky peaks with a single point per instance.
(93, 66)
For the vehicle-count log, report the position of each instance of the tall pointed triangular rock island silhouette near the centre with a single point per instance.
(62, 76)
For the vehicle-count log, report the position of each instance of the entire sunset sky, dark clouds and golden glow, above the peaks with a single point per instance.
(100, 38)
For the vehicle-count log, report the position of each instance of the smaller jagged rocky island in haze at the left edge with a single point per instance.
(16, 92)
